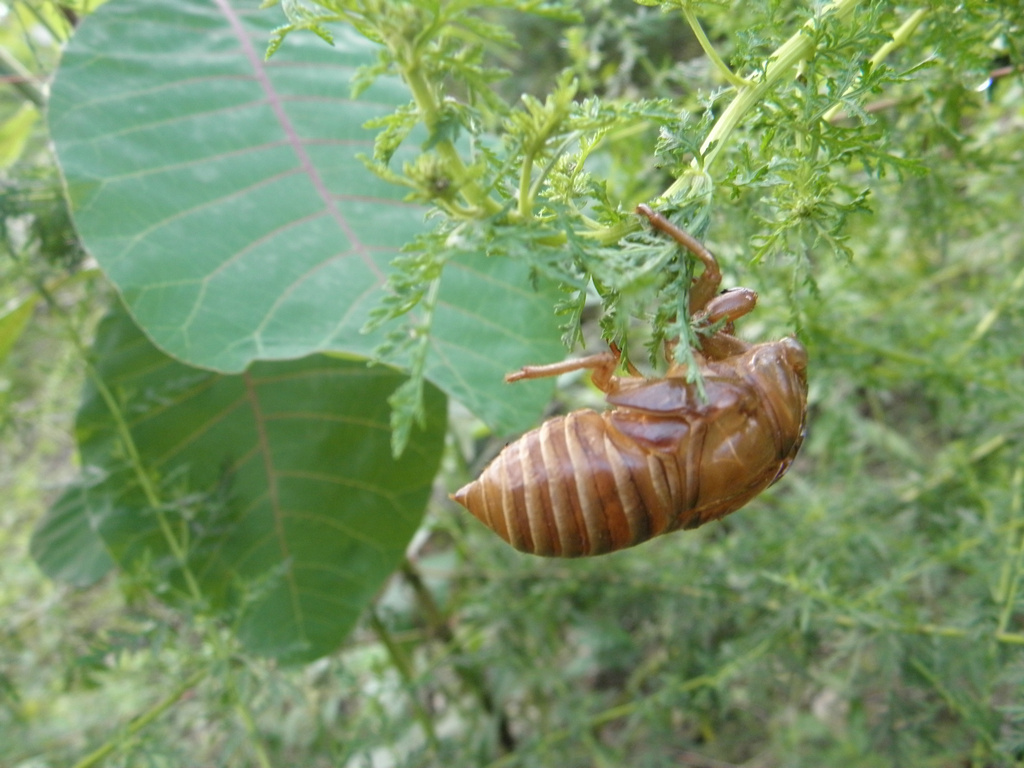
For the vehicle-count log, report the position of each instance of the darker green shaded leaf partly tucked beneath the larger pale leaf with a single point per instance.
(279, 484)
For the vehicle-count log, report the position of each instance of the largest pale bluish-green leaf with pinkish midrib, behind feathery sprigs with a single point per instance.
(222, 194)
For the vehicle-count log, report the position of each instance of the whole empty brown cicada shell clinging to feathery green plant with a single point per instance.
(662, 459)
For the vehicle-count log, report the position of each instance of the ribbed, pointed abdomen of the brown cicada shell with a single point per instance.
(577, 487)
